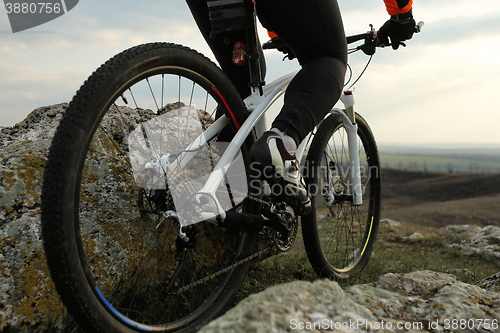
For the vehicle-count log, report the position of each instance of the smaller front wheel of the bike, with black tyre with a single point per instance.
(338, 235)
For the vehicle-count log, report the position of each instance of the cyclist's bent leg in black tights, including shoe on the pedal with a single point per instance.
(314, 31)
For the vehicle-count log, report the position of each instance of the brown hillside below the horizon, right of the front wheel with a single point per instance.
(437, 200)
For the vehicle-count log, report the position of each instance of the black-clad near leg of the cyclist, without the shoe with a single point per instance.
(315, 32)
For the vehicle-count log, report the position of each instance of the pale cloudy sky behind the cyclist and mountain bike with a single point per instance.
(441, 90)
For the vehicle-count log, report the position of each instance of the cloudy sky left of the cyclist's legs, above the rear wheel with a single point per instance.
(47, 64)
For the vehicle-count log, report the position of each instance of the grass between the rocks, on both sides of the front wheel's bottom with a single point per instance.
(394, 252)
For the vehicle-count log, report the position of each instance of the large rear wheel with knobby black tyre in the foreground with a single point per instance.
(111, 222)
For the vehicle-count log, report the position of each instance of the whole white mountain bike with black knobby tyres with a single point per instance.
(151, 213)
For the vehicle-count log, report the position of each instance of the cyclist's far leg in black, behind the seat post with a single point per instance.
(222, 47)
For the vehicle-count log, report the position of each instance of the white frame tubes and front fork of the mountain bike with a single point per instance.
(258, 105)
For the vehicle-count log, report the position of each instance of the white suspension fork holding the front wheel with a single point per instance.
(349, 120)
